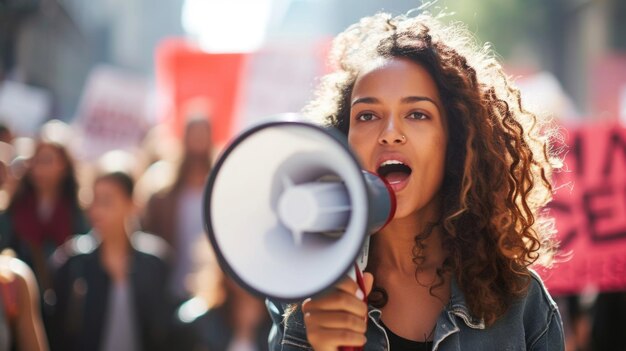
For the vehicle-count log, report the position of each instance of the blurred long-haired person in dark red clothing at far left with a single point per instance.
(44, 211)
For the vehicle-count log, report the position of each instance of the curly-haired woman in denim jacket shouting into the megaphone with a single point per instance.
(439, 120)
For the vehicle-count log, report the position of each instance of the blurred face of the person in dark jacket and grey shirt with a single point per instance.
(110, 207)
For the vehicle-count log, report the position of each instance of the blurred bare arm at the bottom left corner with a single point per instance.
(29, 329)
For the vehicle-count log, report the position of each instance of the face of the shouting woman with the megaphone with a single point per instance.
(398, 130)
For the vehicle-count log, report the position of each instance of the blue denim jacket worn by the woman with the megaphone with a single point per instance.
(532, 323)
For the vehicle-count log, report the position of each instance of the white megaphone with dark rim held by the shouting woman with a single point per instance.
(288, 209)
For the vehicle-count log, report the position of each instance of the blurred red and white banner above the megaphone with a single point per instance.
(237, 89)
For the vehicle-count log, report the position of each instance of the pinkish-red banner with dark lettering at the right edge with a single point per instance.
(590, 211)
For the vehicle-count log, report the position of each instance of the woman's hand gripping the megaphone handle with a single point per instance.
(338, 318)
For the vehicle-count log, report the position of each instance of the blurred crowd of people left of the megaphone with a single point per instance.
(121, 268)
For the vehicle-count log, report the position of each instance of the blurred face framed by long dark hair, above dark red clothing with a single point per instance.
(48, 168)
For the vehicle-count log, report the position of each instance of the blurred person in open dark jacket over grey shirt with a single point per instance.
(110, 283)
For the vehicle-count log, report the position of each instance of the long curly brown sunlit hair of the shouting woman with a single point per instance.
(498, 163)
